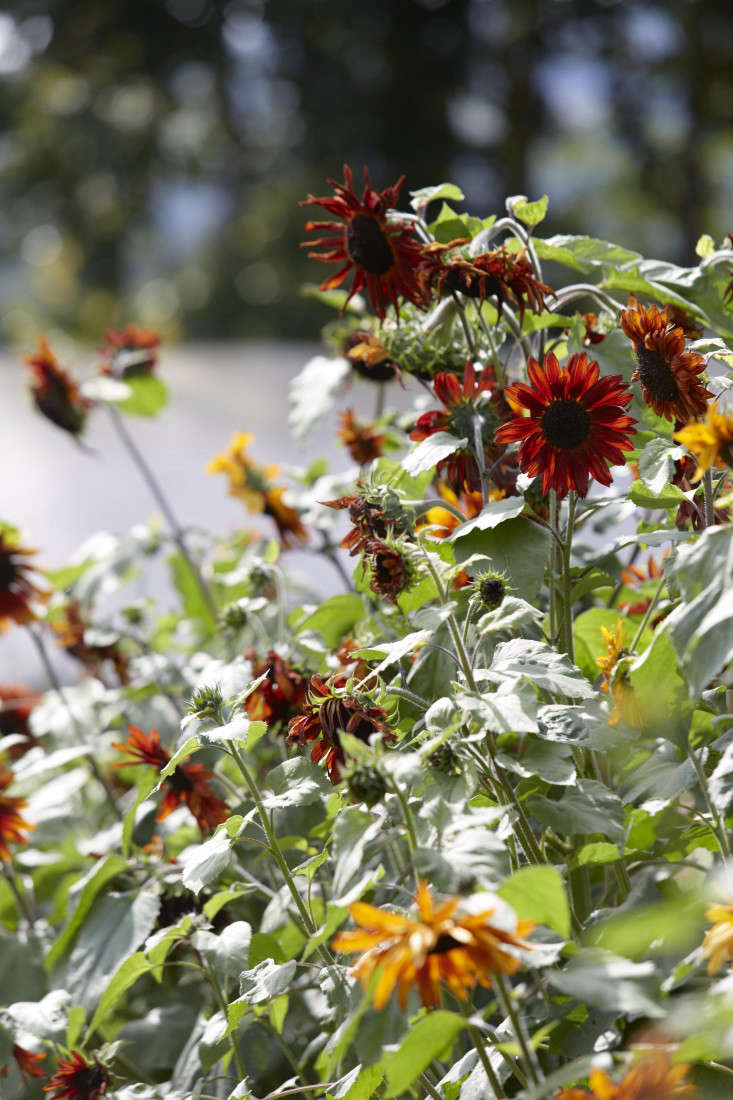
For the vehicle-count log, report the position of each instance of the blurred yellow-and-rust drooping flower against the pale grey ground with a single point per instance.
(253, 485)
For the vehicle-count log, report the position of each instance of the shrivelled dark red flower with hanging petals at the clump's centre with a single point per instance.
(330, 712)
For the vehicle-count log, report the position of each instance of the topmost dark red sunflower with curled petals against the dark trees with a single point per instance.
(385, 255)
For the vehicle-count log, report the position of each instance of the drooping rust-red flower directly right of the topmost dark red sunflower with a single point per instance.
(509, 277)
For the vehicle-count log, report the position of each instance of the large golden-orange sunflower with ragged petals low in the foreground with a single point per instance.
(437, 947)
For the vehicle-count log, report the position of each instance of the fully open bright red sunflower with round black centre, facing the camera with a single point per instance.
(577, 424)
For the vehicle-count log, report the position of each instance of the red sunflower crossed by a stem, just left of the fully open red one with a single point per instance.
(461, 409)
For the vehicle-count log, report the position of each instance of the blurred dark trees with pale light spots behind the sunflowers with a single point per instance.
(154, 153)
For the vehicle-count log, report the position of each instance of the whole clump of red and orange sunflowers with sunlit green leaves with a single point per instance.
(460, 827)
